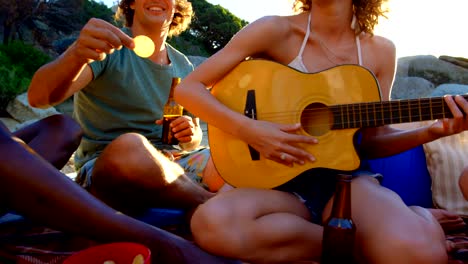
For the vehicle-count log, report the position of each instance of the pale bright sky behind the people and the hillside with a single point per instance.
(417, 27)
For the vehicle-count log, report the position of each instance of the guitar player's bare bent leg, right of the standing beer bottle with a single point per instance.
(390, 232)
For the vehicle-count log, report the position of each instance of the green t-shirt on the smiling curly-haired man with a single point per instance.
(126, 95)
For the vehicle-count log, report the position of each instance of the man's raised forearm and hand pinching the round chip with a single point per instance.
(70, 72)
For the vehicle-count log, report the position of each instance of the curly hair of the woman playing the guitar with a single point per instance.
(367, 12)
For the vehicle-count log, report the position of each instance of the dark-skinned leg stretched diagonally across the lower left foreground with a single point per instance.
(34, 188)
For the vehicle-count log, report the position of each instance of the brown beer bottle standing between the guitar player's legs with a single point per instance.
(339, 229)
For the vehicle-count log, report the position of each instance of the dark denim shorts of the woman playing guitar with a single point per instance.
(316, 187)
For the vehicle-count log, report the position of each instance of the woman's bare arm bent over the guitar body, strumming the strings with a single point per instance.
(270, 139)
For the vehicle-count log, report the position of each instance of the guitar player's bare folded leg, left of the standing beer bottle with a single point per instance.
(258, 226)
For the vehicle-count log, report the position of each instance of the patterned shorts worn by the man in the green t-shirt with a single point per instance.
(193, 164)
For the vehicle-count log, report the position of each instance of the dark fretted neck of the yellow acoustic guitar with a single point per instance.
(375, 114)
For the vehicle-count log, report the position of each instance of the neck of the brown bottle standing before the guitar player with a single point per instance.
(342, 200)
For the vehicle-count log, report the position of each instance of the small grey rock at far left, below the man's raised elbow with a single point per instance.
(20, 109)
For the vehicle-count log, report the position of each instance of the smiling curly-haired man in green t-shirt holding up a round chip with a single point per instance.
(118, 101)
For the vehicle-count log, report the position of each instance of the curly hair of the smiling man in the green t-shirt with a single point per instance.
(180, 22)
